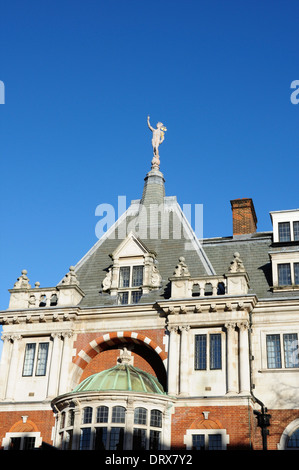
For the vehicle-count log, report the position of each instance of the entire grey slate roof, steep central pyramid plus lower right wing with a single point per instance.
(211, 257)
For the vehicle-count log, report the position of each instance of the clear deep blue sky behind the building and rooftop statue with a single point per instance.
(80, 78)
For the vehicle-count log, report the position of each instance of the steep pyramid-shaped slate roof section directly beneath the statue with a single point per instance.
(161, 226)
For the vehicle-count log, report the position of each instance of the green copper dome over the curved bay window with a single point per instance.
(123, 377)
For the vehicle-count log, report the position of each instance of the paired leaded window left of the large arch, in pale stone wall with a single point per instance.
(30, 358)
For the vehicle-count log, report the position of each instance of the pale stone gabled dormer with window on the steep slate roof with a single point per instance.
(134, 271)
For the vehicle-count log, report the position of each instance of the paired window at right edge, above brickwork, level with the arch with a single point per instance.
(274, 354)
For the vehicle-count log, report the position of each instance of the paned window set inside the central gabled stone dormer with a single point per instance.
(130, 277)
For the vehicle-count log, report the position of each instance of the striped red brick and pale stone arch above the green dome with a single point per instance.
(112, 339)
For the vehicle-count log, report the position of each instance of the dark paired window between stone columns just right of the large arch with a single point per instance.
(201, 351)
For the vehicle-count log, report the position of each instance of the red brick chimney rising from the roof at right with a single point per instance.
(244, 216)
